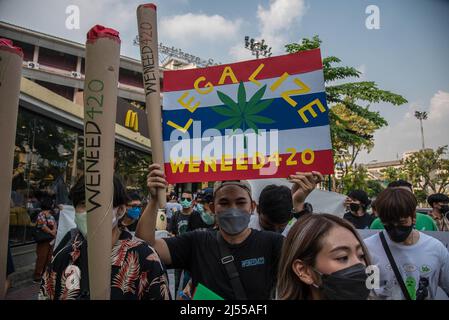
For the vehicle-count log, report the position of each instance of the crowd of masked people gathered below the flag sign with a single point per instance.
(278, 248)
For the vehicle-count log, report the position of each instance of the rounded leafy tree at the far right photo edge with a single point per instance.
(428, 170)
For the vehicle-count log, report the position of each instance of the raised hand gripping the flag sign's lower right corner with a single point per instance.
(303, 185)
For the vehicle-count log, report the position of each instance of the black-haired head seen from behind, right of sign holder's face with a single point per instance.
(276, 204)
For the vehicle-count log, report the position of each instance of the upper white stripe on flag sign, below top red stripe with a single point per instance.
(313, 80)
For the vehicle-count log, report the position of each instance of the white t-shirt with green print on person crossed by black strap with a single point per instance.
(424, 266)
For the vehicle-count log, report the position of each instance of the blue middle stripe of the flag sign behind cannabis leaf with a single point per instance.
(285, 117)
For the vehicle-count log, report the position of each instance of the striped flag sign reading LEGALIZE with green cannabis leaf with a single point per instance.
(256, 119)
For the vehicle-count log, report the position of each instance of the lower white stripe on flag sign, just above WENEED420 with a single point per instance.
(266, 143)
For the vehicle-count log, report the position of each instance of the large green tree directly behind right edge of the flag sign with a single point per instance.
(352, 122)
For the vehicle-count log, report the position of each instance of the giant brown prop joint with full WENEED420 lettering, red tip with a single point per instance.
(100, 105)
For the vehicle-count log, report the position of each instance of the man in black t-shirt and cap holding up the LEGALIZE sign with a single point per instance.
(255, 254)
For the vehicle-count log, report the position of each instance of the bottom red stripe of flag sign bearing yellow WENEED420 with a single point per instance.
(323, 162)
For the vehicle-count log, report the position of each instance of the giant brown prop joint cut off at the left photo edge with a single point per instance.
(10, 74)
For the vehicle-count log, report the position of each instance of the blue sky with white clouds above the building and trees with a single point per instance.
(408, 54)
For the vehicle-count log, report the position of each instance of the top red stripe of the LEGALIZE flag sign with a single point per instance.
(301, 62)
